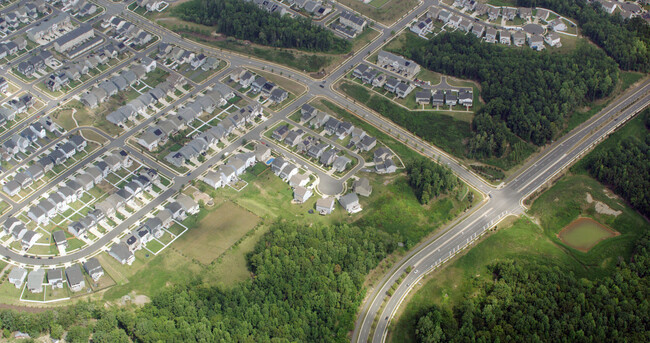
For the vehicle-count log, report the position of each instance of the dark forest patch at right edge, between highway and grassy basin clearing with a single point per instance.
(625, 167)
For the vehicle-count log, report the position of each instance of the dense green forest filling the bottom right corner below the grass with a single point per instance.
(539, 303)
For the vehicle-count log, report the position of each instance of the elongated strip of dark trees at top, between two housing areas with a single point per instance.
(245, 20)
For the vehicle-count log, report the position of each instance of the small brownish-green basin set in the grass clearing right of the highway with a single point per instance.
(584, 233)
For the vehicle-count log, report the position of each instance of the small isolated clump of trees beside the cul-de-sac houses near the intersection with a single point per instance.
(429, 179)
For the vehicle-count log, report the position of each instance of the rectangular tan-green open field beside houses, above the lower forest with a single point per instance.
(215, 232)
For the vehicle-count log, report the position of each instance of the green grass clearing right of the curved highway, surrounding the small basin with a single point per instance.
(530, 239)
